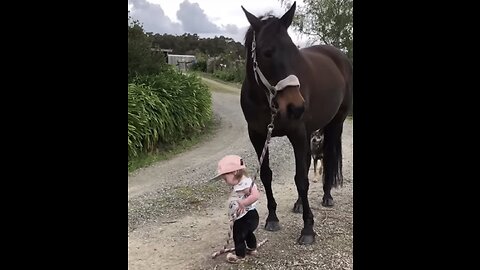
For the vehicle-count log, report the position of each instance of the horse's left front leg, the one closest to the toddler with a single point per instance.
(258, 141)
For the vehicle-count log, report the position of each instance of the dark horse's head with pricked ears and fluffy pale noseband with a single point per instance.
(271, 61)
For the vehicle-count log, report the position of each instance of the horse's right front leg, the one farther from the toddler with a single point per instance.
(302, 164)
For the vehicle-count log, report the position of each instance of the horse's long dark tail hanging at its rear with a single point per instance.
(332, 152)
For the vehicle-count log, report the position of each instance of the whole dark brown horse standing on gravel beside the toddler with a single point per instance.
(309, 89)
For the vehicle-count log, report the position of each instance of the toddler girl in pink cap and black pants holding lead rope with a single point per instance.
(241, 206)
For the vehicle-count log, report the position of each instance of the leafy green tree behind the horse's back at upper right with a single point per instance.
(326, 21)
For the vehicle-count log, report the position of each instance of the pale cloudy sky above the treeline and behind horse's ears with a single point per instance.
(207, 18)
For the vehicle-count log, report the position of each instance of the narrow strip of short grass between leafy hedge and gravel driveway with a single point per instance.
(168, 152)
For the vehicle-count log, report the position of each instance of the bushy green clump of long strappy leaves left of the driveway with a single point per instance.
(164, 109)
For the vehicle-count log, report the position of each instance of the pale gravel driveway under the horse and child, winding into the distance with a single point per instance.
(177, 219)
